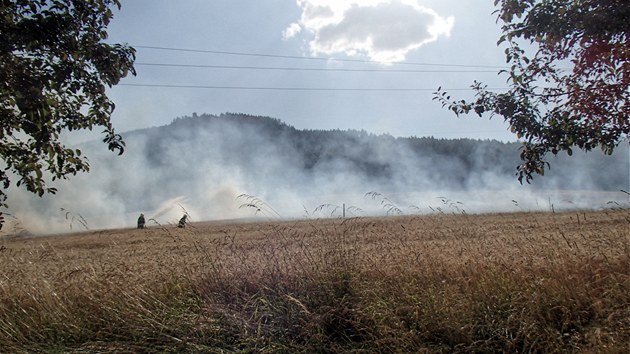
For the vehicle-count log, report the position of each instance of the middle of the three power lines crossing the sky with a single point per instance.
(309, 69)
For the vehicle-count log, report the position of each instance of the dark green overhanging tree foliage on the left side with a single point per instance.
(54, 70)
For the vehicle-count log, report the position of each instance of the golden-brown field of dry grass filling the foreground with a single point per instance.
(521, 282)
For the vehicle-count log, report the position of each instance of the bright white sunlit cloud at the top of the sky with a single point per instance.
(382, 30)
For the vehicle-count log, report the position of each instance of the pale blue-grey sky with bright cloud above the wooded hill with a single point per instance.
(314, 64)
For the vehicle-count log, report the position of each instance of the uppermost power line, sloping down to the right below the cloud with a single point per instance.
(311, 58)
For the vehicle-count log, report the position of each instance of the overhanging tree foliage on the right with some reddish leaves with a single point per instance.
(574, 91)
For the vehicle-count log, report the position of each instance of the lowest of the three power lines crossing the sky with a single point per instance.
(255, 88)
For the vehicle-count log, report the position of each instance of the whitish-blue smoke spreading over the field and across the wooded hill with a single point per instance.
(201, 164)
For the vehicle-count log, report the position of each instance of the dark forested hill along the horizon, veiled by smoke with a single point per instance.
(246, 140)
